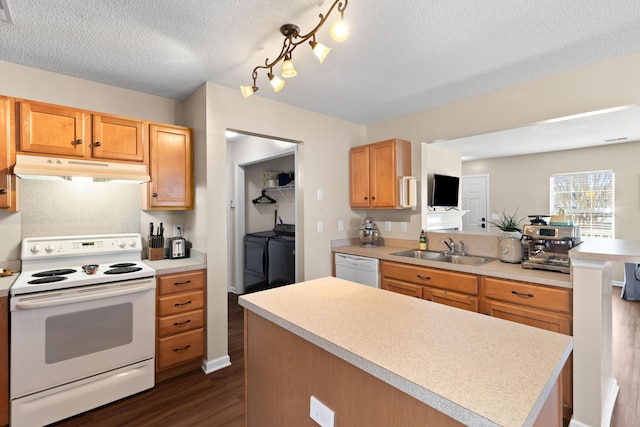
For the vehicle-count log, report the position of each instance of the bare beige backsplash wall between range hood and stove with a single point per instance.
(63, 208)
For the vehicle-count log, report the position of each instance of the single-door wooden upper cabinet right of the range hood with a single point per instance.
(171, 168)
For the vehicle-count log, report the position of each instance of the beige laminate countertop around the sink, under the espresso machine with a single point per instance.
(493, 269)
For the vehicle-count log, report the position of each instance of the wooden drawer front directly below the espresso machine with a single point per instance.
(530, 295)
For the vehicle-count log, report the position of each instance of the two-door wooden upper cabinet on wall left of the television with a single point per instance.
(376, 171)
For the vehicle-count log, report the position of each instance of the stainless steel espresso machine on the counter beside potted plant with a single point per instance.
(546, 247)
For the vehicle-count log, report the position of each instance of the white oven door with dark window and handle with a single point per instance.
(58, 337)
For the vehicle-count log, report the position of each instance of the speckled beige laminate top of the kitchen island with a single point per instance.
(479, 370)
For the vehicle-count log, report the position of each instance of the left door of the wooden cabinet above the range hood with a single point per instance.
(52, 129)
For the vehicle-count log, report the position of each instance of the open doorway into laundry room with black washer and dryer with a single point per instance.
(262, 197)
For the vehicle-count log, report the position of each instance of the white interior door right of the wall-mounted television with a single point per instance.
(475, 199)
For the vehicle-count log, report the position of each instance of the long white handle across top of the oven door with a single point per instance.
(99, 292)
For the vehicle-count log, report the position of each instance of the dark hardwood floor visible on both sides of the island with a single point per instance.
(195, 399)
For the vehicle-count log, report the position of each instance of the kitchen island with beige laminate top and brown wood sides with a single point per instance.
(378, 358)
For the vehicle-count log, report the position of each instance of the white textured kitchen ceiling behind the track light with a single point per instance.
(401, 57)
